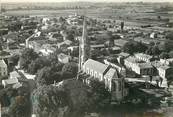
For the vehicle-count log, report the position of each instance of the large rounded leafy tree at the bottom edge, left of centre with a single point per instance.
(49, 101)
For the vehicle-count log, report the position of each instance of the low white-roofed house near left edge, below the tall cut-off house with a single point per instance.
(9, 82)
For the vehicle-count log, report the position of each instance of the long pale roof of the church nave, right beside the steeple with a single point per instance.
(96, 66)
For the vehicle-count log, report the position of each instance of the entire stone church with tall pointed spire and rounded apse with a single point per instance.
(97, 70)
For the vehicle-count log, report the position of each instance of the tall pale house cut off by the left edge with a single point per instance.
(3, 68)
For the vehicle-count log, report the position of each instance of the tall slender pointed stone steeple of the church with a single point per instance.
(84, 46)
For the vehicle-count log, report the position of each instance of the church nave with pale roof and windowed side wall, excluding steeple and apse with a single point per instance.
(95, 69)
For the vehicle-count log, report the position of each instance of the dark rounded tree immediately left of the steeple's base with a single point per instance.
(70, 68)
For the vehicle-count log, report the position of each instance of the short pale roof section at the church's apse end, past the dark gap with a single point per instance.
(112, 73)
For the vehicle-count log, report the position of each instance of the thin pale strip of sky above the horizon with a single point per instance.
(86, 0)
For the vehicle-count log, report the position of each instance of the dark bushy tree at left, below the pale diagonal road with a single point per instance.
(27, 56)
